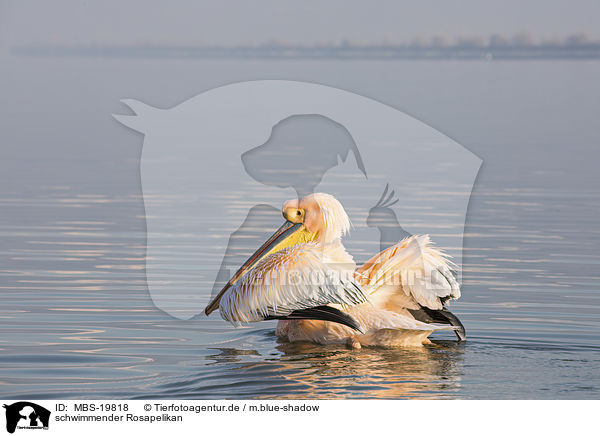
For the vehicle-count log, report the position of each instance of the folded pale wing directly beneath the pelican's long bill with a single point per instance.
(288, 280)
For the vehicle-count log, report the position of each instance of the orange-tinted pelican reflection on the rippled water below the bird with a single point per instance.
(304, 370)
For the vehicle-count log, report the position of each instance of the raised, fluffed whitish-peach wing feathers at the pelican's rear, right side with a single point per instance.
(412, 269)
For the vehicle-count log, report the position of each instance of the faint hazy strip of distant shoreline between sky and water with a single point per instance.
(374, 52)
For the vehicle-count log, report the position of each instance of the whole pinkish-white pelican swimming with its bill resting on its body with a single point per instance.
(304, 277)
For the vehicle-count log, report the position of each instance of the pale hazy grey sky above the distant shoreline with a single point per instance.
(306, 21)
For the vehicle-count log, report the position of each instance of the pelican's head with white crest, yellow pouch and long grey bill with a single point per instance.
(315, 218)
